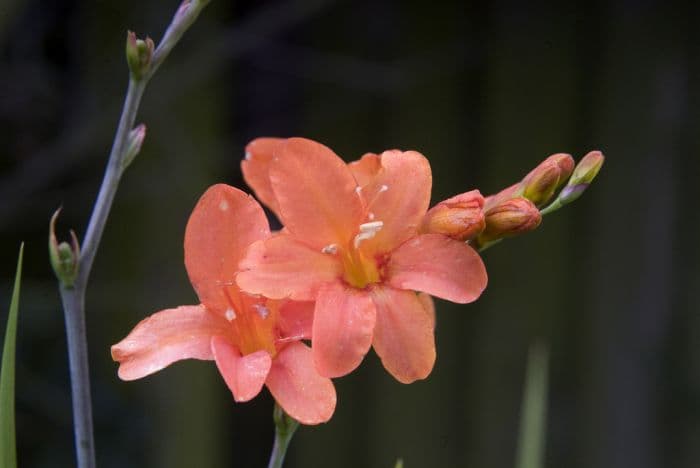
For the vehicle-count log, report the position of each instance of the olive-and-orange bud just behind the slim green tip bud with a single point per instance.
(542, 182)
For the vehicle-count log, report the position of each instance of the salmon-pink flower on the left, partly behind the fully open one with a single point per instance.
(255, 341)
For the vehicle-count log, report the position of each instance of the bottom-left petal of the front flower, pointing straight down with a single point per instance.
(342, 332)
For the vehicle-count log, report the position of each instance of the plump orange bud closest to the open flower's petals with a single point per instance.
(460, 217)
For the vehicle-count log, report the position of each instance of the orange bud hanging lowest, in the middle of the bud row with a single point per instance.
(510, 218)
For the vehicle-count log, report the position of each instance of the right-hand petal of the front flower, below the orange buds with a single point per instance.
(440, 266)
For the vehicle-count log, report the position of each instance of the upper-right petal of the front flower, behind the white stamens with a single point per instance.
(399, 197)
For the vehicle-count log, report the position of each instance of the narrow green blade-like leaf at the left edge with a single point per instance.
(8, 448)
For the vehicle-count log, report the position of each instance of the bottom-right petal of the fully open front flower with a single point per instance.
(404, 337)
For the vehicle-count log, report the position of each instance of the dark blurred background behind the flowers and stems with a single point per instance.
(485, 90)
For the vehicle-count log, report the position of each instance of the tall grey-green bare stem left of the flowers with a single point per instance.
(73, 297)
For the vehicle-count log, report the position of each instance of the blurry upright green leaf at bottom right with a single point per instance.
(533, 418)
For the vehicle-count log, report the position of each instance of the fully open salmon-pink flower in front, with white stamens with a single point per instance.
(352, 243)
